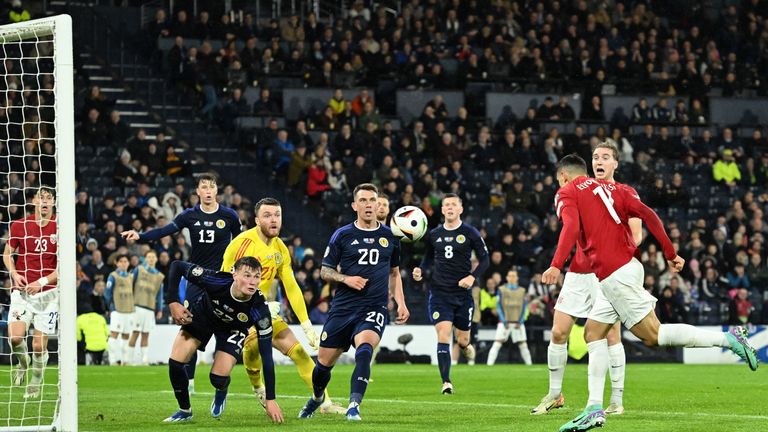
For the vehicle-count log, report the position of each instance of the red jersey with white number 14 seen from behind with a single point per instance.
(595, 214)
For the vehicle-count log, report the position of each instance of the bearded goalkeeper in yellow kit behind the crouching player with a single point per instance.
(263, 243)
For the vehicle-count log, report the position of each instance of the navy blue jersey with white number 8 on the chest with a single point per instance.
(451, 251)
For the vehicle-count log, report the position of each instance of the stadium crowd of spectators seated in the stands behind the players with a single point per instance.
(708, 182)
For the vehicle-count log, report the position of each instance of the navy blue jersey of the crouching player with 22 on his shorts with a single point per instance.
(217, 304)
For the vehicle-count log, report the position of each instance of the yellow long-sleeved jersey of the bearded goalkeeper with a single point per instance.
(275, 263)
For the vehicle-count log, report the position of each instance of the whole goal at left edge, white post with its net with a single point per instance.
(37, 155)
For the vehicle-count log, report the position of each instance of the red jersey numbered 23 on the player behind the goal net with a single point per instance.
(35, 247)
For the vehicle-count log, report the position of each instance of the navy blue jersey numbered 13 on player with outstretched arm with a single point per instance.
(210, 233)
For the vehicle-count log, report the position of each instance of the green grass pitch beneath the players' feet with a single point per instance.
(669, 397)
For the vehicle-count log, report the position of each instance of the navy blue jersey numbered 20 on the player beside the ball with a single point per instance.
(366, 253)
